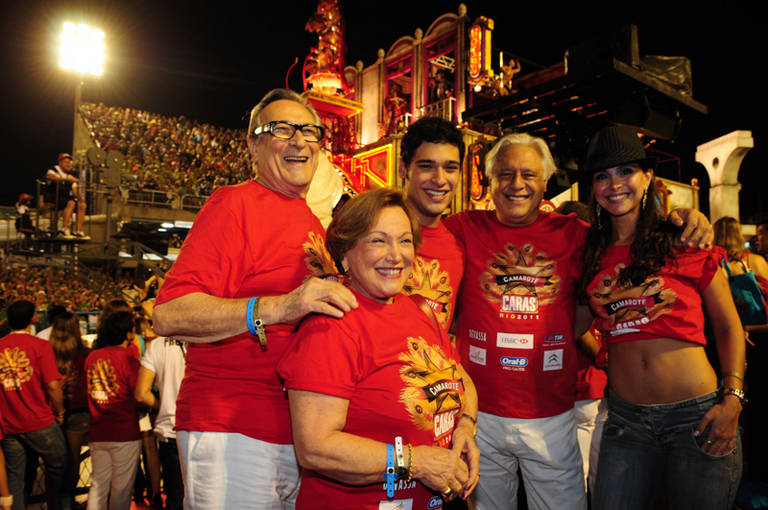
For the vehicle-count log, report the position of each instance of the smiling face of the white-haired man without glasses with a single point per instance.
(518, 185)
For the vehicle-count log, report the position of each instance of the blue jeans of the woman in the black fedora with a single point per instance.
(649, 448)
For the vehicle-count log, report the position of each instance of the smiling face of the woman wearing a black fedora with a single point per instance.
(619, 189)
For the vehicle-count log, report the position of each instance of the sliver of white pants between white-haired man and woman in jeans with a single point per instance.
(590, 417)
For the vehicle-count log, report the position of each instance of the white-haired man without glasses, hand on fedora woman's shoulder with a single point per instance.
(517, 315)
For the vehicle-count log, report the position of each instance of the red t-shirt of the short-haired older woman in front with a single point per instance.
(400, 378)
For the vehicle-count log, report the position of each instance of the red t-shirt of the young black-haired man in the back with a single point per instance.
(437, 272)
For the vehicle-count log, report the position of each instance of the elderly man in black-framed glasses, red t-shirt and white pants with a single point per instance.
(247, 273)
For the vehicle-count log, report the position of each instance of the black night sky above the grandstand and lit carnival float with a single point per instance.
(212, 61)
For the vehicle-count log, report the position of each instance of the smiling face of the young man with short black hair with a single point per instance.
(432, 177)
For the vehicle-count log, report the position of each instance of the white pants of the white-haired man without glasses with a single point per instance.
(547, 453)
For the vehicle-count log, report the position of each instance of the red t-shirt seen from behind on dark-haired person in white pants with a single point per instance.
(112, 373)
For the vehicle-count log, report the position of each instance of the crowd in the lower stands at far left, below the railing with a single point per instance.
(86, 291)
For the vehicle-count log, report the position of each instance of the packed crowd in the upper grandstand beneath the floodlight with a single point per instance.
(170, 154)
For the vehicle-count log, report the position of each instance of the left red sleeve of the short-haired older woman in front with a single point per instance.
(324, 358)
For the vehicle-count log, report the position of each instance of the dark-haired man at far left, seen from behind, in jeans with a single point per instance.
(31, 385)
